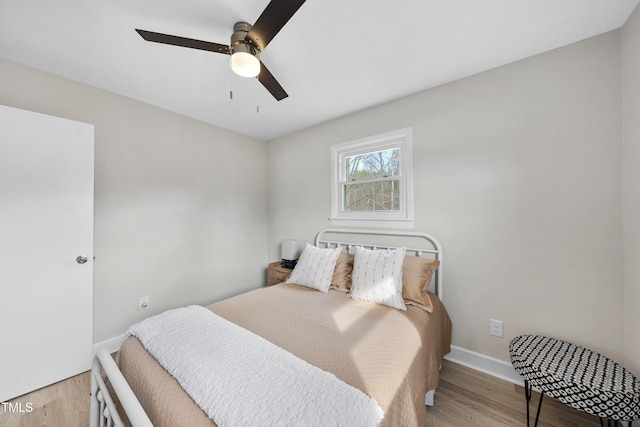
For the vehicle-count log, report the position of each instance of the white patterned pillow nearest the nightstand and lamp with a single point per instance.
(315, 267)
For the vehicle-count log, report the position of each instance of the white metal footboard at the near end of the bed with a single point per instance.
(104, 412)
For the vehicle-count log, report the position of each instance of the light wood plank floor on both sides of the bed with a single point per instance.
(465, 398)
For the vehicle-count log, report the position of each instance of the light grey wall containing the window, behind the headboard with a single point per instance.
(517, 172)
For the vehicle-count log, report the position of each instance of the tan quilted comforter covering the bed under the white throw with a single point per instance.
(391, 355)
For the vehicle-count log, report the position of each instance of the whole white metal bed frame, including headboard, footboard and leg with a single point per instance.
(107, 378)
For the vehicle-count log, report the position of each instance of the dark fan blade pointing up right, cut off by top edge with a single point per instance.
(273, 18)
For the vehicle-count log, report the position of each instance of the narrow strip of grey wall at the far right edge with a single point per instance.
(631, 187)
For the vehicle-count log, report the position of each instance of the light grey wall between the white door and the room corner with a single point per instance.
(180, 205)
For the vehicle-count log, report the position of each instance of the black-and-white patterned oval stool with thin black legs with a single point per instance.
(577, 377)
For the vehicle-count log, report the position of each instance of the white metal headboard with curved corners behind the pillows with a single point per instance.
(423, 244)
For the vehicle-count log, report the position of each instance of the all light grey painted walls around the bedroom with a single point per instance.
(517, 171)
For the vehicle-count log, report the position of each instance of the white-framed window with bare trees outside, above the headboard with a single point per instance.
(372, 181)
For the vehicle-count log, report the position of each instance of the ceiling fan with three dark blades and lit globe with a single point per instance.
(247, 42)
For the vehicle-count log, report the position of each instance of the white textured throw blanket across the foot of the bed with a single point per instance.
(240, 379)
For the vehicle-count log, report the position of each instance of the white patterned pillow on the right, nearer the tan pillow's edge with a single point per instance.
(377, 276)
